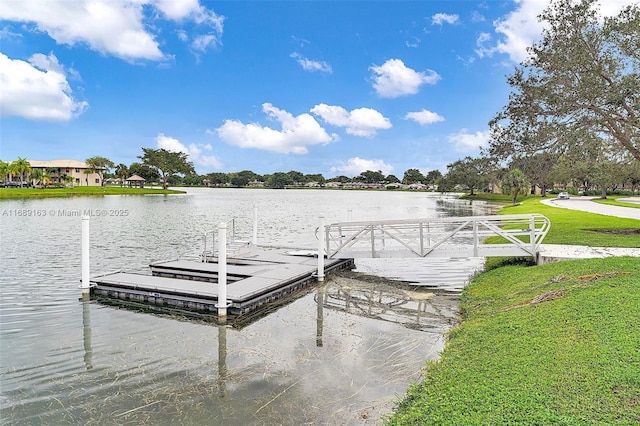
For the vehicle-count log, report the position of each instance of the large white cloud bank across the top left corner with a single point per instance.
(119, 28)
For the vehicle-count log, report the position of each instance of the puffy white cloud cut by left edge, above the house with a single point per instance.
(38, 89)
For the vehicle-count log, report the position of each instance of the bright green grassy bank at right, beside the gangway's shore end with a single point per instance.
(549, 344)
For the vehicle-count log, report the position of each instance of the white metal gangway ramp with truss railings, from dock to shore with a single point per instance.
(518, 235)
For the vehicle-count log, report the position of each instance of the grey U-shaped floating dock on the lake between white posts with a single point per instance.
(253, 279)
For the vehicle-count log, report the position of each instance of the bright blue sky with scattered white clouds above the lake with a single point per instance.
(331, 87)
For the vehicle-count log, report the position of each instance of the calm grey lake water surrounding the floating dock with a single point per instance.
(341, 353)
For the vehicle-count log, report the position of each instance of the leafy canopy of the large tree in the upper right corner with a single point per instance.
(583, 76)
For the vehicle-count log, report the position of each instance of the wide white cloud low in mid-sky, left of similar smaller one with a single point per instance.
(293, 137)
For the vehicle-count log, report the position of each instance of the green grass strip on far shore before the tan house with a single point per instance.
(9, 193)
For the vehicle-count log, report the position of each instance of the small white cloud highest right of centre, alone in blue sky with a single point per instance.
(393, 79)
